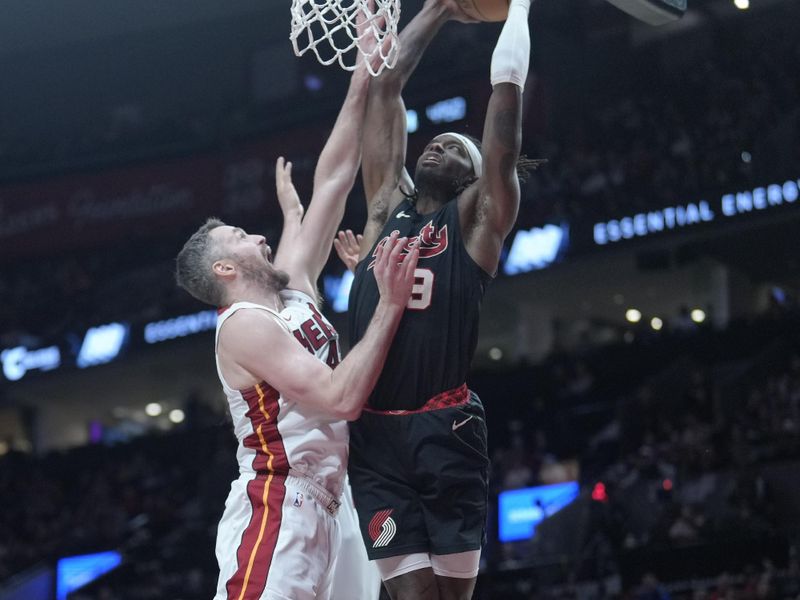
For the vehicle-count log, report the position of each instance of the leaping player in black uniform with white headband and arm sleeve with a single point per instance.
(418, 456)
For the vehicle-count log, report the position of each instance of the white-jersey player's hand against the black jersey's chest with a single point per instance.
(394, 271)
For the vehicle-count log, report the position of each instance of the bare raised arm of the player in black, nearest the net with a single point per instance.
(383, 168)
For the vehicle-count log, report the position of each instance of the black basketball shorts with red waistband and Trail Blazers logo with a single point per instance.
(420, 478)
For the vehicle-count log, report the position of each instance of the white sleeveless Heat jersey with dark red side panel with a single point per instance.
(274, 432)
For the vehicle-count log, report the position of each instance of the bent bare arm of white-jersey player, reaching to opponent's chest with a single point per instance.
(256, 348)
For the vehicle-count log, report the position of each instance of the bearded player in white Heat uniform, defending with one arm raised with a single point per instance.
(280, 534)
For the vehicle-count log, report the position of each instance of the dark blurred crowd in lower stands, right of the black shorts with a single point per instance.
(690, 472)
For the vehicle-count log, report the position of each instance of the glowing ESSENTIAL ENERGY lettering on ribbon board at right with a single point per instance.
(686, 215)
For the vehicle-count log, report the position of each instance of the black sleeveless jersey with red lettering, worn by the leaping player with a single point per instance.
(438, 333)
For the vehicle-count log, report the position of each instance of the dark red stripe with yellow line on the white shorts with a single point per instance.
(255, 552)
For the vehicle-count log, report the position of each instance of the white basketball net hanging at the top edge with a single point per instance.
(328, 28)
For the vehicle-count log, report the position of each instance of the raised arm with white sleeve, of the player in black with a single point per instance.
(489, 209)
